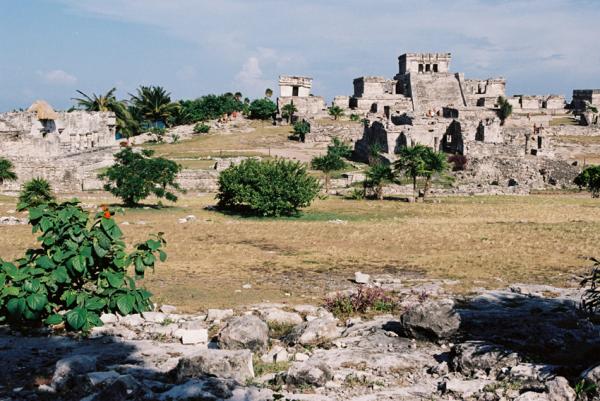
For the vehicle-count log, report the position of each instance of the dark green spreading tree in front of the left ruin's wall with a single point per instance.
(137, 175)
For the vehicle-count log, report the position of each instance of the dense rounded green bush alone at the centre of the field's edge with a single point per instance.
(266, 188)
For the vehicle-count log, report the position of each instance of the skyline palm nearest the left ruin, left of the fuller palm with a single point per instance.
(126, 124)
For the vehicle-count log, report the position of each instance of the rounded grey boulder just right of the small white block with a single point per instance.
(245, 332)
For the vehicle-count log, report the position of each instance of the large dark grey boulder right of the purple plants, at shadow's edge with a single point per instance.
(431, 320)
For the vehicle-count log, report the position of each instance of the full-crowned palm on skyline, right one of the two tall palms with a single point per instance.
(153, 104)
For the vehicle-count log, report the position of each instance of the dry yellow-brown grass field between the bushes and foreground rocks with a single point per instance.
(480, 241)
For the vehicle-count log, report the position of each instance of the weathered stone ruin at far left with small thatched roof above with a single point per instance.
(66, 148)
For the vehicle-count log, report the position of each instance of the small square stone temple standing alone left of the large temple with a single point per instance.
(296, 90)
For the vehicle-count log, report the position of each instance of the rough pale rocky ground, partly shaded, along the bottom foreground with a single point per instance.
(523, 343)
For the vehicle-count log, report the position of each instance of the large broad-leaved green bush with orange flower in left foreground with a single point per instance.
(79, 271)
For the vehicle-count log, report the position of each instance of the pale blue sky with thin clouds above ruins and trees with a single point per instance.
(50, 48)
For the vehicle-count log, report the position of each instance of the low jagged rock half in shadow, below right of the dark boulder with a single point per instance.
(473, 357)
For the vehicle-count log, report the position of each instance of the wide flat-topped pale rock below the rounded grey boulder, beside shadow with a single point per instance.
(224, 364)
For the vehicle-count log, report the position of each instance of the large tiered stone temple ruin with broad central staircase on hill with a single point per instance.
(426, 103)
